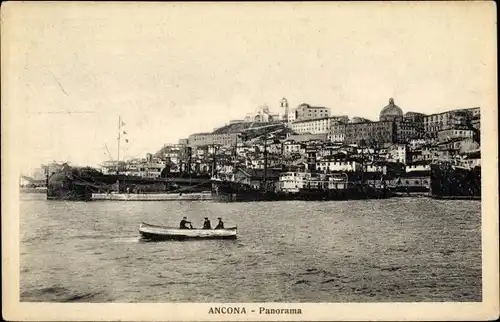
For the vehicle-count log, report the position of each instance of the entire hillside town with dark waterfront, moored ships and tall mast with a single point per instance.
(269, 157)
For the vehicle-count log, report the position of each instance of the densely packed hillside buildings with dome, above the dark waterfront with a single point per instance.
(310, 138)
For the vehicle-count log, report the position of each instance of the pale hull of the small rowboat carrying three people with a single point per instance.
(157, 233)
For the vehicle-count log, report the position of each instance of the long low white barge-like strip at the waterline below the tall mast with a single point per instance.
(152, 196)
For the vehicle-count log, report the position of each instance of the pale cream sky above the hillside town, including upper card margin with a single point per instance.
(172, 70)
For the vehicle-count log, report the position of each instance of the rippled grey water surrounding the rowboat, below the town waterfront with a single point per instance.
(359, 251)
